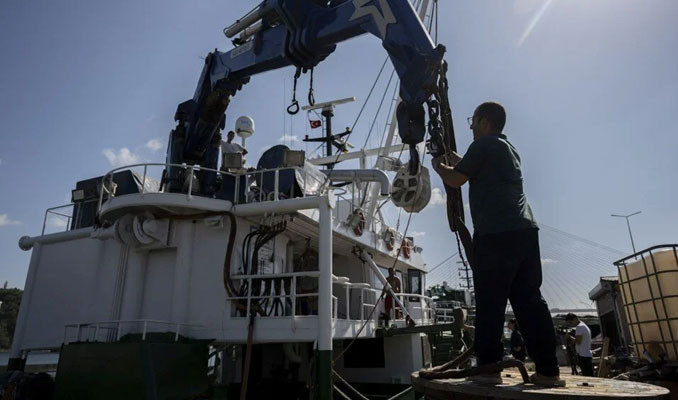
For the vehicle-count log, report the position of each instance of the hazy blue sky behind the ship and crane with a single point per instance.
(590, 87)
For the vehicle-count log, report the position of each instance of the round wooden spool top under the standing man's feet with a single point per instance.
(578, 387)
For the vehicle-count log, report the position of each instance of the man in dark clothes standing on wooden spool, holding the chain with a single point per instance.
(507, 263)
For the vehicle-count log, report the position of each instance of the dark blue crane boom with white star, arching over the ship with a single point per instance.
(302, 33)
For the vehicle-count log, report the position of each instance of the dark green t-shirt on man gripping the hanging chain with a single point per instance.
(498, 202)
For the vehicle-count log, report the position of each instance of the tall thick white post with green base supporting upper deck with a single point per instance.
(324, 355)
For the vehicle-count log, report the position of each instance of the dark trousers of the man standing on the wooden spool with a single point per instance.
(508, 267)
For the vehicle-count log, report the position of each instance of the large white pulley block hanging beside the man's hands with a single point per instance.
(411, 192)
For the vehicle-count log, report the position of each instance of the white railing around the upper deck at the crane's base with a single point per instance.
(248, 187)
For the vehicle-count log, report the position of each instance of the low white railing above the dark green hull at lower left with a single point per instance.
(111, 331)
